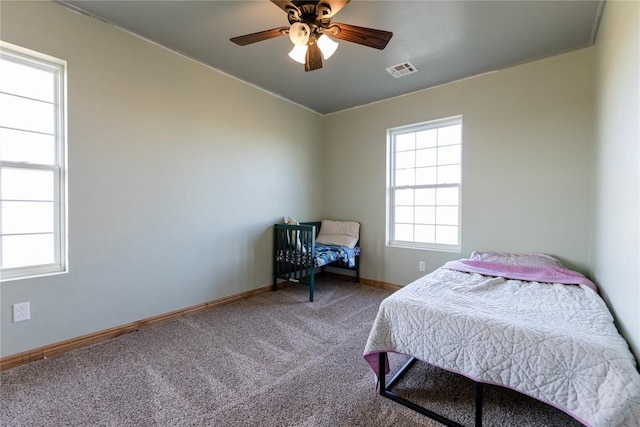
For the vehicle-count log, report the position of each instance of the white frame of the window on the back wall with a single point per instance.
(391, 186)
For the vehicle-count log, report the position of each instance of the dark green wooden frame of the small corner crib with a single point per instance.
(300, 272)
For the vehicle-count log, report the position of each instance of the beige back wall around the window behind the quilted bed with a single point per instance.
(528, 140)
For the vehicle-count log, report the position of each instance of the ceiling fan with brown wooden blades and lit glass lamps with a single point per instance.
(309, 30)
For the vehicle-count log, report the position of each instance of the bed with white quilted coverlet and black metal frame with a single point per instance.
(520, 321)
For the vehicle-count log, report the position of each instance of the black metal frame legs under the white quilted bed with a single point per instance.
(386, 386)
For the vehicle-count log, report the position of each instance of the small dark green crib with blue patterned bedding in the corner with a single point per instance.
(301, 248)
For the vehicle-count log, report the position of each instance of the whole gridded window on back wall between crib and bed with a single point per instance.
(424, 185)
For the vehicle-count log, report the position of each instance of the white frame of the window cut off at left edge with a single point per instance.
(58, 68)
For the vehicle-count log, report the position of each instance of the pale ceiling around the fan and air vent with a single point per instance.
(445, 40)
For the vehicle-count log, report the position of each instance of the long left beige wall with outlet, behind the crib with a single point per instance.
(175, 177)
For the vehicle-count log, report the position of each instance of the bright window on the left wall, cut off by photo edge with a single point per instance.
(32, 163)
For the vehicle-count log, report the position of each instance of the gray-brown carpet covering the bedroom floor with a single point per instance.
(271, 360)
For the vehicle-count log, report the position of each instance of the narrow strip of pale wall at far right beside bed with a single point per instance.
(616, 236)
